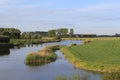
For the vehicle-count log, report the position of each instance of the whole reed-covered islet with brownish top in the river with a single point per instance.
(41, 57)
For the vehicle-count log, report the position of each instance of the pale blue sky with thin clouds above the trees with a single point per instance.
(84, 16)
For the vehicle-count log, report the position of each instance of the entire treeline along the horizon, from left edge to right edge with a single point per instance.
(14, 33)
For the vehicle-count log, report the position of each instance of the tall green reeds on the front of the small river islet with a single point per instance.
(35, 59)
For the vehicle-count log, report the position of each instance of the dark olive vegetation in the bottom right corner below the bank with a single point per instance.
(111, 76)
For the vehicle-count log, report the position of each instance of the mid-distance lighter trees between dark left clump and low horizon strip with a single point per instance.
(59, 33)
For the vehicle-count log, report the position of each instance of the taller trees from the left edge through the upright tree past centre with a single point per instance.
(14, 33)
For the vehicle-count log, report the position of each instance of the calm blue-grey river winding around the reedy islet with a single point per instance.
(12, 65)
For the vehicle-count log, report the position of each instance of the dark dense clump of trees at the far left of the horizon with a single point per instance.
(13, 33)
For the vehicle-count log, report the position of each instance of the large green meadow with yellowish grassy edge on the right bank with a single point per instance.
(99, 55)
